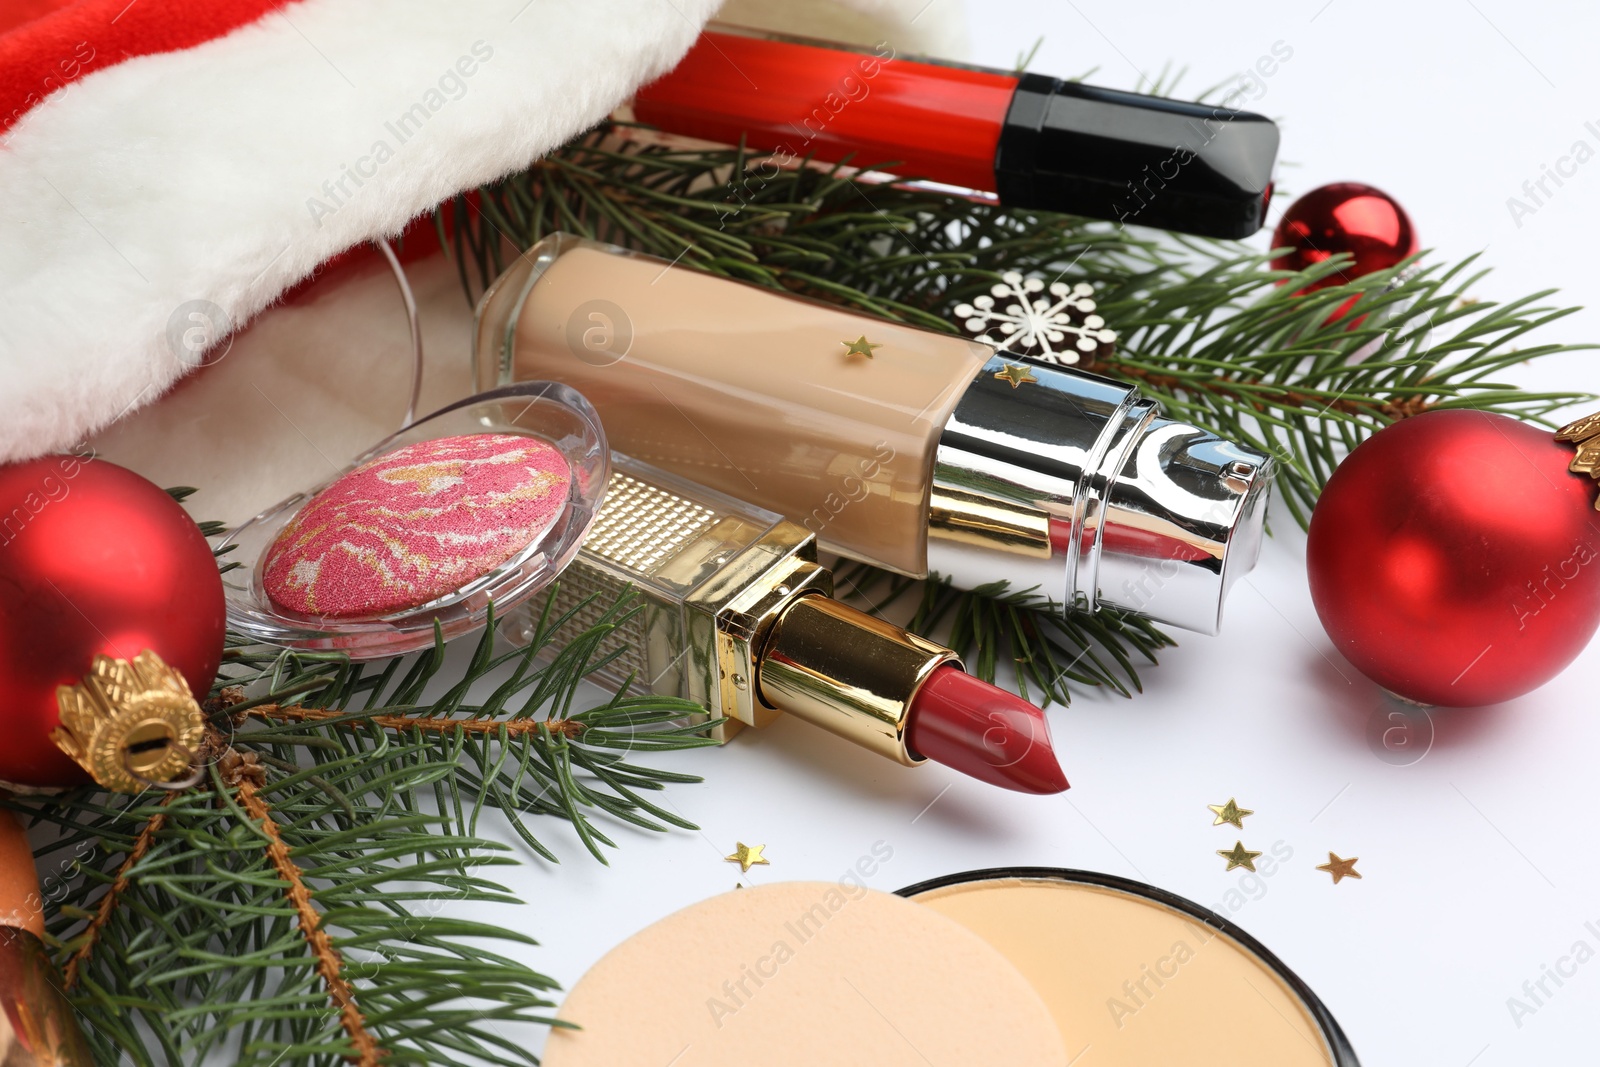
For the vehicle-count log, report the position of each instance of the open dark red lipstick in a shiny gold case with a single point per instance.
(740, 618)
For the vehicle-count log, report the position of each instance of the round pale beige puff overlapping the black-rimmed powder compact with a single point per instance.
(806, 973)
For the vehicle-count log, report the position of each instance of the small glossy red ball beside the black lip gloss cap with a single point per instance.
(1345, 218)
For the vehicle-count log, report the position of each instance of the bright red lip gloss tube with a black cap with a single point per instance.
(1034, 142)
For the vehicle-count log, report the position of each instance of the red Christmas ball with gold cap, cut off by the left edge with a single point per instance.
(97, 562)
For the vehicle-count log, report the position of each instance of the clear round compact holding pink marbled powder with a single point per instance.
(482, 503)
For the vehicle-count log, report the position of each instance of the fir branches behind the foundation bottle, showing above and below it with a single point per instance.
(1209, 329)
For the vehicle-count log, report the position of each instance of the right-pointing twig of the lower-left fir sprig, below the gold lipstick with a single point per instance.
(511, 757)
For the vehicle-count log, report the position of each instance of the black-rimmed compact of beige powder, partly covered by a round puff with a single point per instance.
(1137, 977)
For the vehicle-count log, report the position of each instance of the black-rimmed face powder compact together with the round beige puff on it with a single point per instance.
(1028, 967)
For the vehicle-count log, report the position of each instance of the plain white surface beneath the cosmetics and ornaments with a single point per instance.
(1479, 860)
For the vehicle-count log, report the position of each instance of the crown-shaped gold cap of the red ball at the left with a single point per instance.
(130, 724)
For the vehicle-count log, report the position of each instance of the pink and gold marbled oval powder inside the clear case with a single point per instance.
(417, 526)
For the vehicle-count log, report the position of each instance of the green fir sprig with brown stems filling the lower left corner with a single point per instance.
(305, 903)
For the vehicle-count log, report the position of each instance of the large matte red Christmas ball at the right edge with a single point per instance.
(1455, 557)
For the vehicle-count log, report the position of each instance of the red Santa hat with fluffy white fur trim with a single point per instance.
(161, 156)
